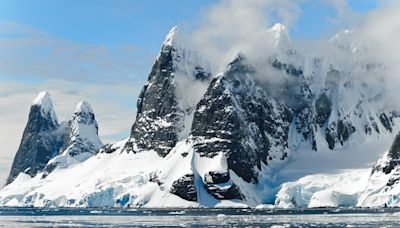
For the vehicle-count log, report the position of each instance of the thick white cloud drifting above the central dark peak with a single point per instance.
(239, 26)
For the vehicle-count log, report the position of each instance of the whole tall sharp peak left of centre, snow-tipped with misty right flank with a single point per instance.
(165, 105)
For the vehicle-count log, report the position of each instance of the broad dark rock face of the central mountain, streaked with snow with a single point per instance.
(237, 118)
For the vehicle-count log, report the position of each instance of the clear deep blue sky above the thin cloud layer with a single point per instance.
(142, 22)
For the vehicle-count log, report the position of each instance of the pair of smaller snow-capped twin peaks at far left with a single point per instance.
(47, 144)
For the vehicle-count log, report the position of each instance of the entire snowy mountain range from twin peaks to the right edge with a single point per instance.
(229, 139)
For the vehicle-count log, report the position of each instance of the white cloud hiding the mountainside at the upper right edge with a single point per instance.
(379, 34)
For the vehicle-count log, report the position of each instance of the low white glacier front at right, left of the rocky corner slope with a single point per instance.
(324, 190)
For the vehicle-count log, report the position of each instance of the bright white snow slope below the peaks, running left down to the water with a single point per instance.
(112, 179)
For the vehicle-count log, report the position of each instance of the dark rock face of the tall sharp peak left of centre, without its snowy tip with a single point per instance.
(159, 118)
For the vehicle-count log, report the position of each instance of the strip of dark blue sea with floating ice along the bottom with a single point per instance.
(100, 217)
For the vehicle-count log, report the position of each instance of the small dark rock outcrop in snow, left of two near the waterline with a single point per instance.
(185, 188)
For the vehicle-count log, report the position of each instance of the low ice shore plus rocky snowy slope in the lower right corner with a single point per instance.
(376, 187)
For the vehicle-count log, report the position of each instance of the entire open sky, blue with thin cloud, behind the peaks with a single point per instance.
(102, 51)
